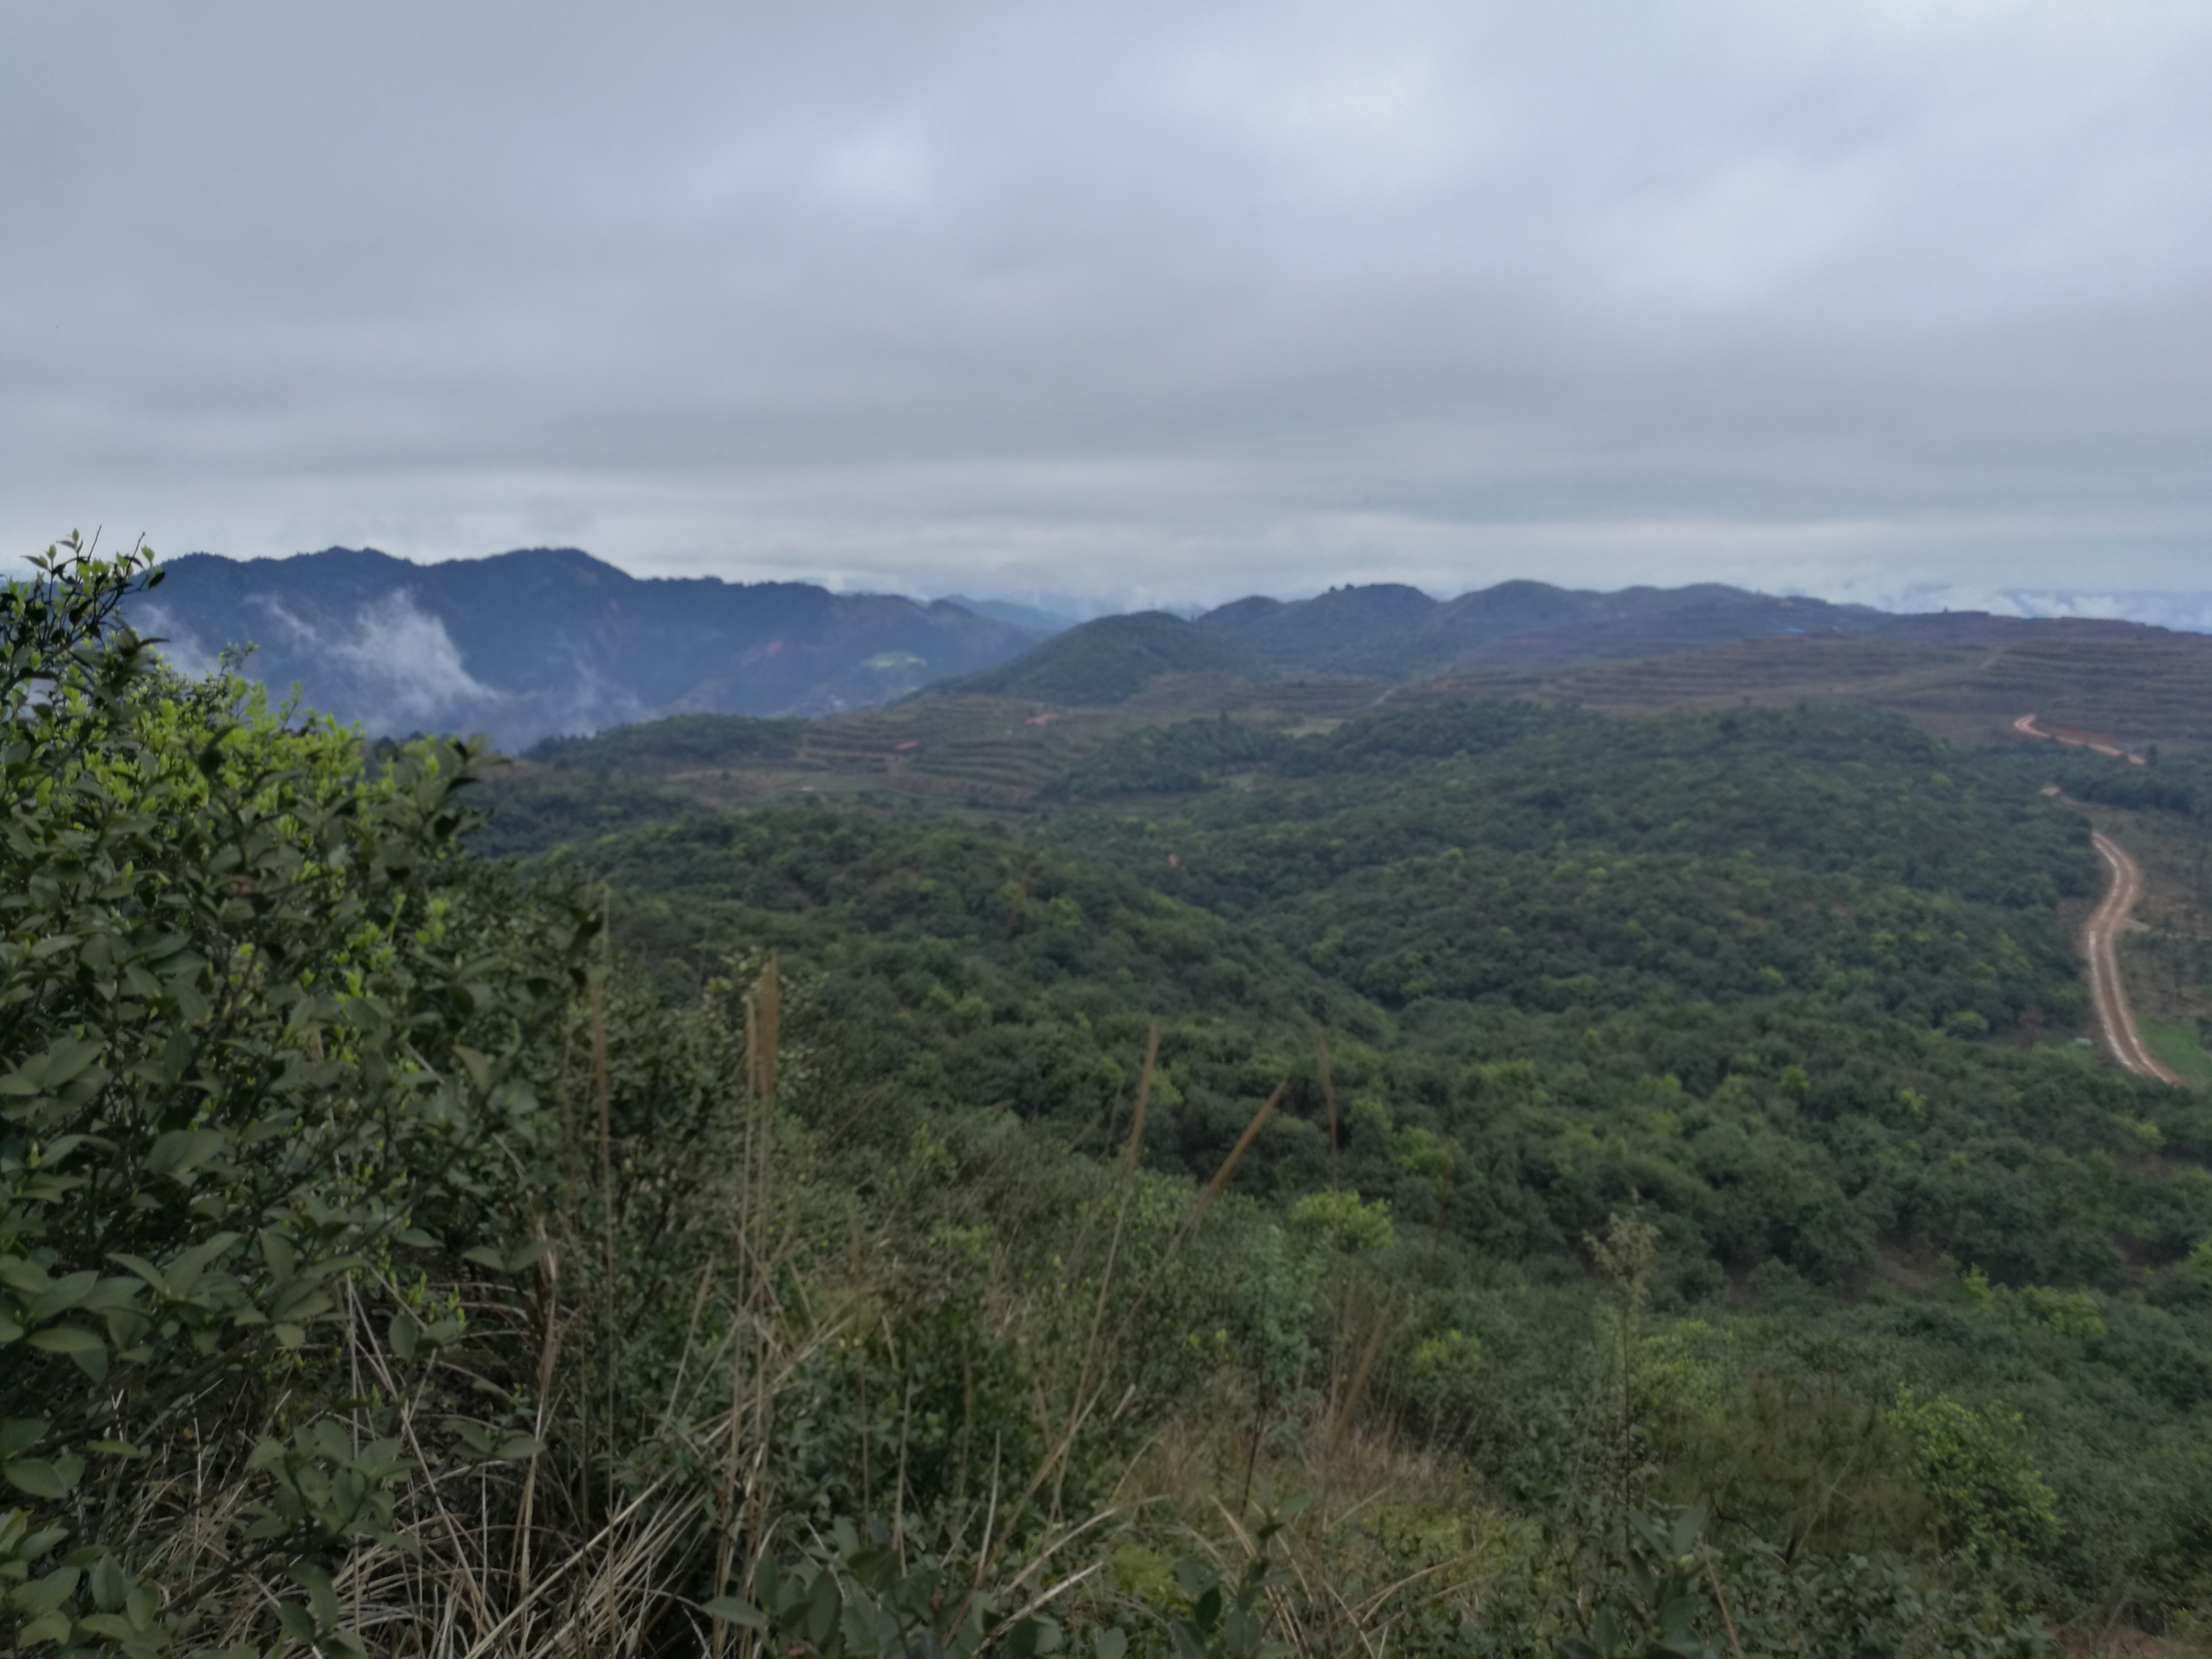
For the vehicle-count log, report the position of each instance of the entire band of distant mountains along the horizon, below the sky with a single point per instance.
(552, 640)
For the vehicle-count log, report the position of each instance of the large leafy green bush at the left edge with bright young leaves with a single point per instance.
(253, 1032)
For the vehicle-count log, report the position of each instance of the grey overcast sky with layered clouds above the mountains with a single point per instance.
(1138, 302)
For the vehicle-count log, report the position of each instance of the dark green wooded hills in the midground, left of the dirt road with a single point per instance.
(1791, 988)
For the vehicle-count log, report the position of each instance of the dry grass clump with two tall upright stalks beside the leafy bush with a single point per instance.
(488, 1567)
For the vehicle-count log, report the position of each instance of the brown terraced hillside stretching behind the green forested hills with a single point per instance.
(1965, 678)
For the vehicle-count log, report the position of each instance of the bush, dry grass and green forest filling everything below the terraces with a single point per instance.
(1485, 1180)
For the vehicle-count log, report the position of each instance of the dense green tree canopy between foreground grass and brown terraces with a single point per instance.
(1793, 985)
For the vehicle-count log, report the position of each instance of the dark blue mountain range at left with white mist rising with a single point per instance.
(554, 640)
